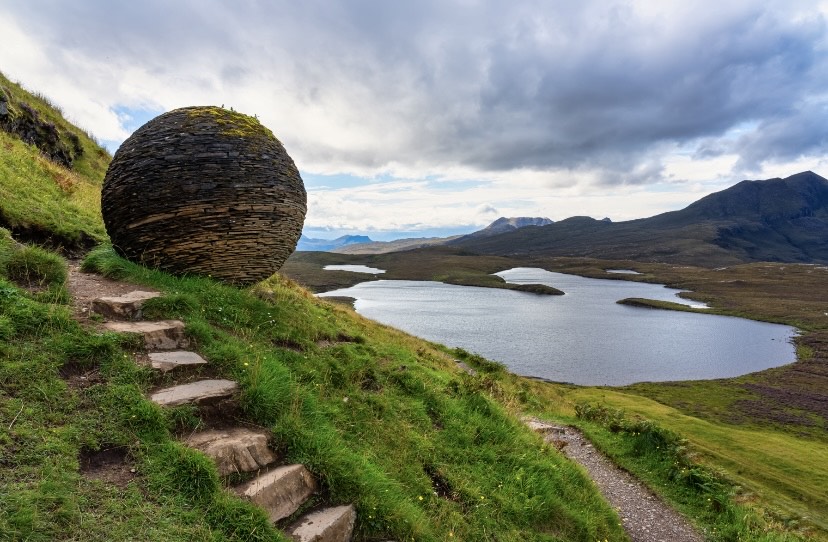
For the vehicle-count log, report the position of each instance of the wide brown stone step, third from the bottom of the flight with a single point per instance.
(234, 450)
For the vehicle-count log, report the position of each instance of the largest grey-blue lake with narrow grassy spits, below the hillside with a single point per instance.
(583, 337)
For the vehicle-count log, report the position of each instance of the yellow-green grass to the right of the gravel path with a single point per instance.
(781, 477)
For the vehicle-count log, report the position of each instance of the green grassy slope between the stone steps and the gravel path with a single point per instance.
(386, 421)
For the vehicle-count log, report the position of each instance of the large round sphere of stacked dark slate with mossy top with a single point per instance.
(204, 190)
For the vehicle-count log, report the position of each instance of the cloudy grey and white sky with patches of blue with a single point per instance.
(434, 117)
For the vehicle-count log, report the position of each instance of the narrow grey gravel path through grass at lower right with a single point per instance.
(646, 517)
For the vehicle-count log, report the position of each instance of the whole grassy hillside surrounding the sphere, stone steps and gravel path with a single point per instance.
(425, 449)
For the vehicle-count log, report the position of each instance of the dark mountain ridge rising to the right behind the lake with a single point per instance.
(772, 220)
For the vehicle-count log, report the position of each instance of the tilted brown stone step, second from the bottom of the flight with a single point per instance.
(280, 491)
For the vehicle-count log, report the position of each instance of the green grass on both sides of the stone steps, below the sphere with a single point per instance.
(384, 420)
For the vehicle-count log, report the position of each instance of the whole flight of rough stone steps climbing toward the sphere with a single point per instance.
(278, 489)
